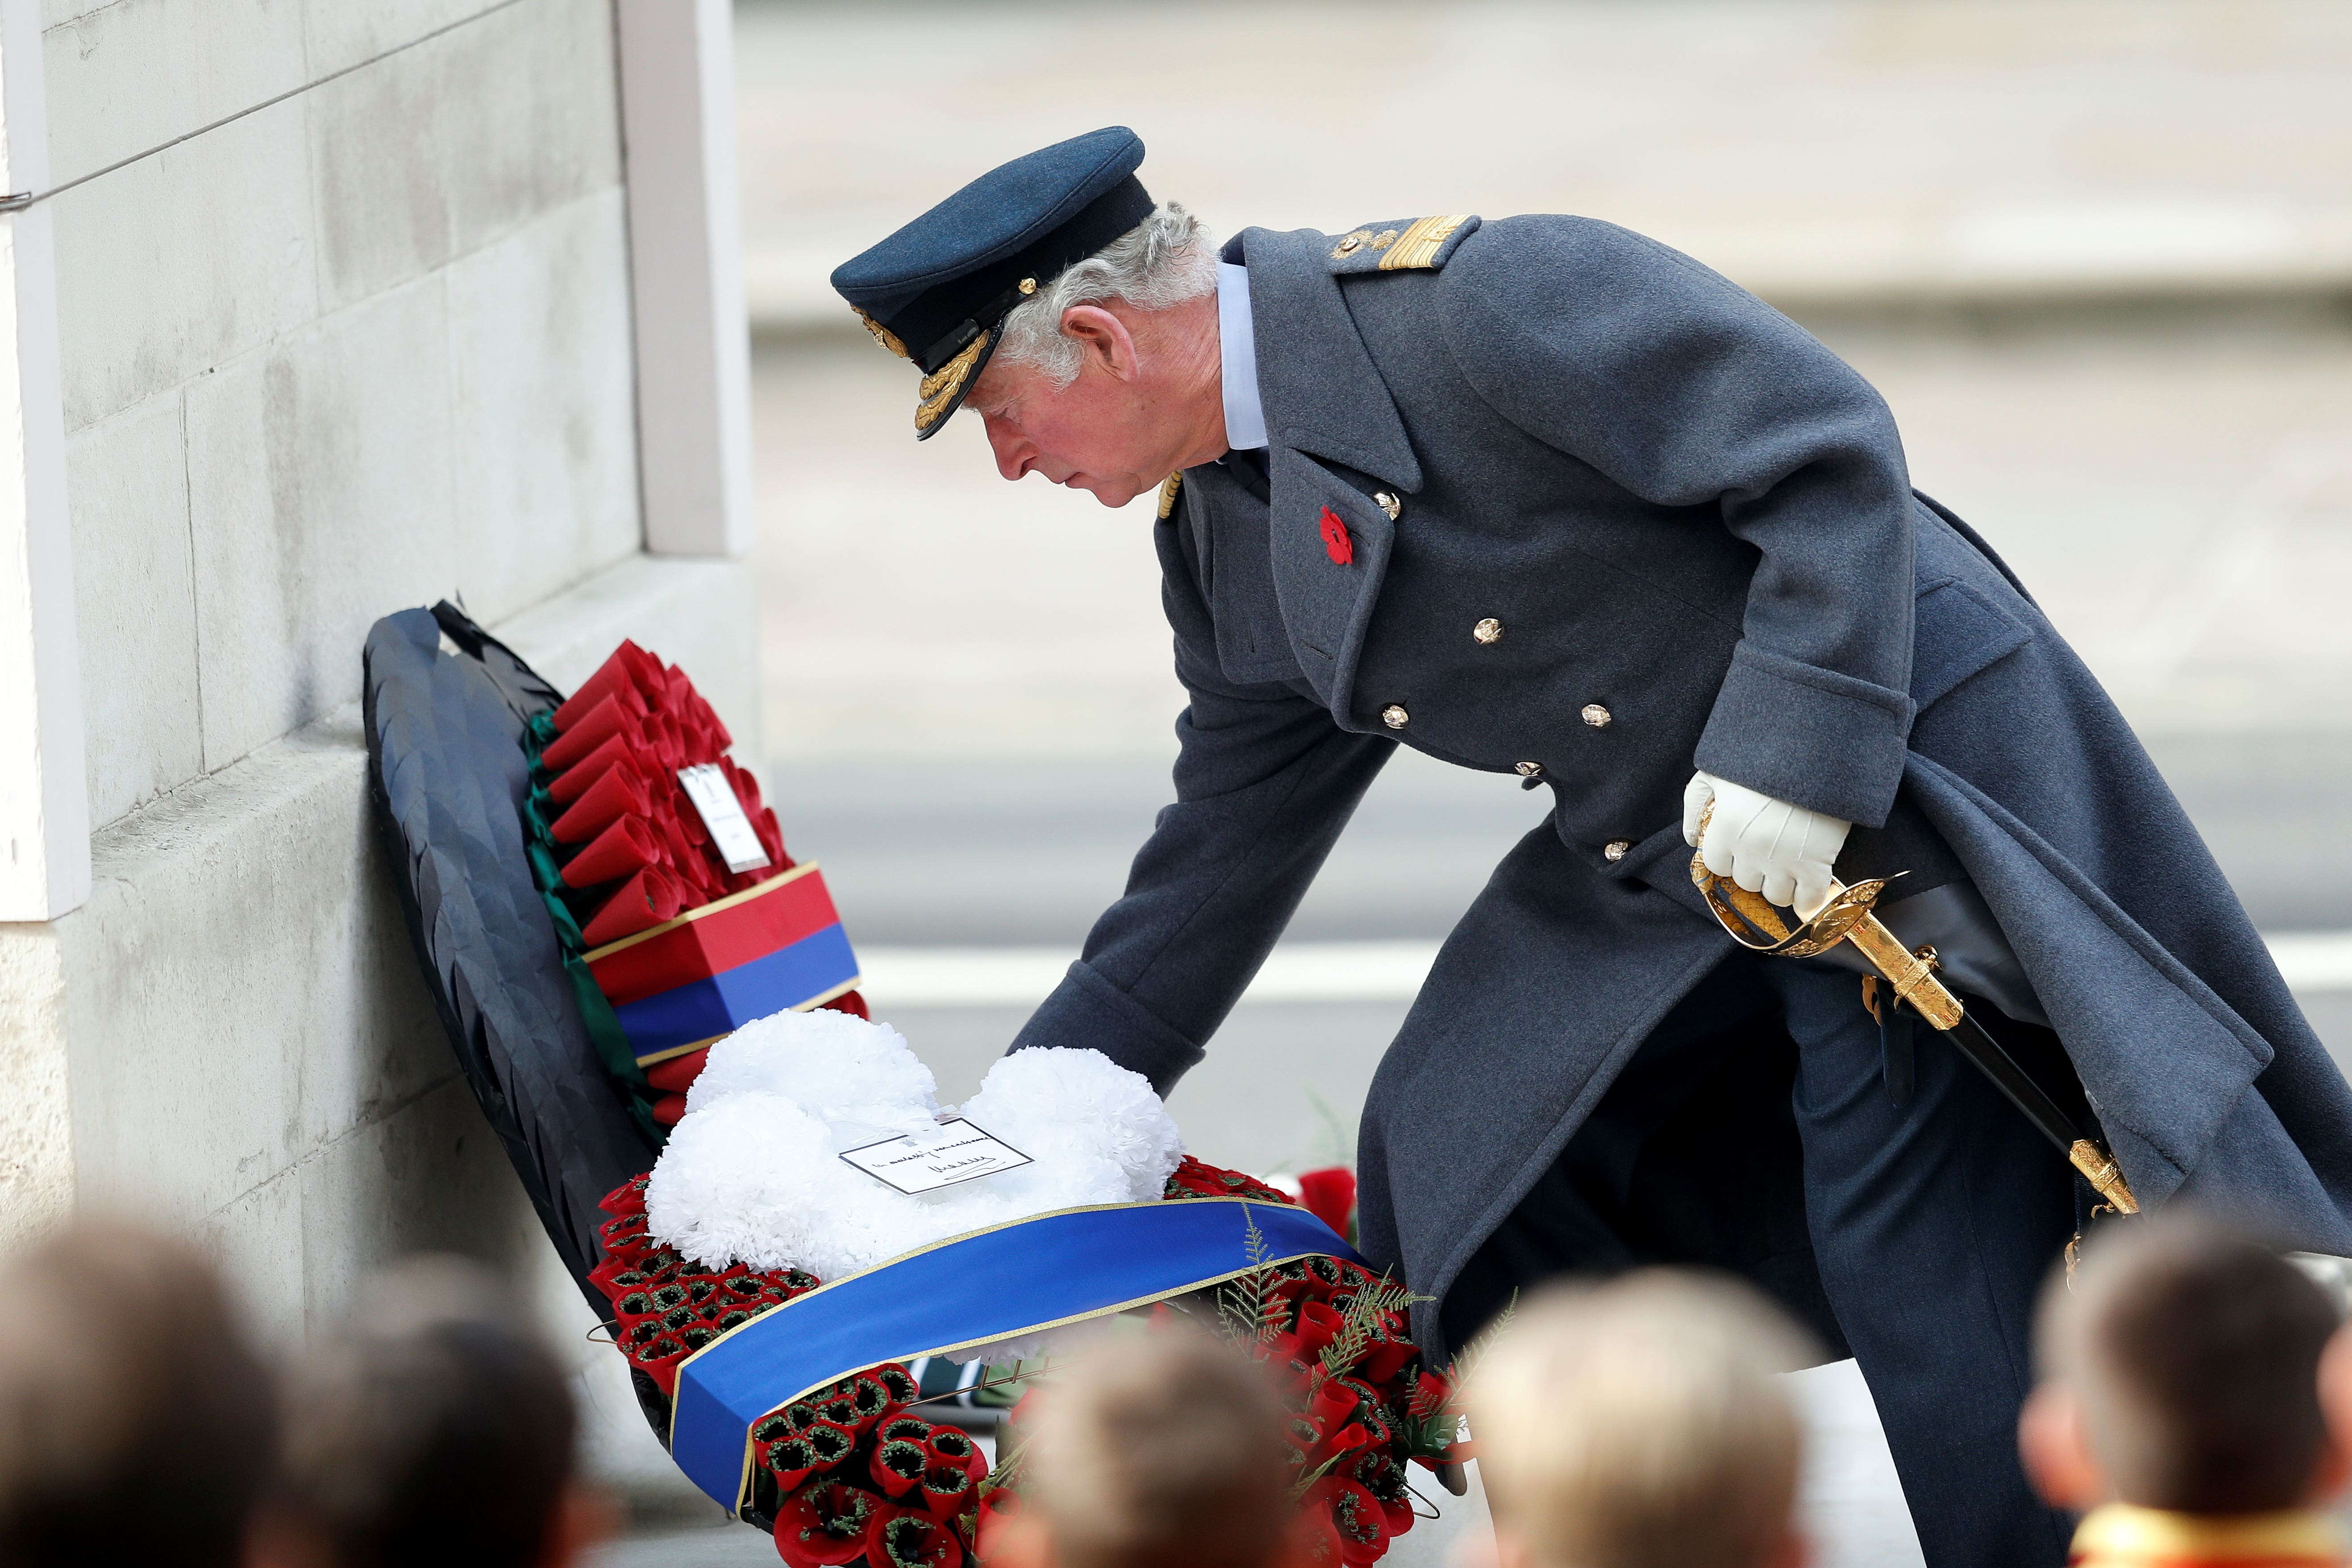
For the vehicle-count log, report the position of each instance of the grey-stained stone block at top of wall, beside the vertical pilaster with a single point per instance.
(500, 123)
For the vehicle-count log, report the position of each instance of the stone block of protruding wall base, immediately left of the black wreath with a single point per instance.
(241, 993)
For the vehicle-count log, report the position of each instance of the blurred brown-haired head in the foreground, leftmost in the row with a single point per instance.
(135, 1419)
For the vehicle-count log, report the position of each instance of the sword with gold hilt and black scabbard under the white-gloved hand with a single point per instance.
(1847, 918)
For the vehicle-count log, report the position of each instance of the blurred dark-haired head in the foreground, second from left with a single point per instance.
(429, 1428)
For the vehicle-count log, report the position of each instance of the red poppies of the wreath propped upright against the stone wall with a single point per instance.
(617, 847)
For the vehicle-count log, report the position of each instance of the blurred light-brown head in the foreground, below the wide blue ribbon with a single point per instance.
(1151, 1452)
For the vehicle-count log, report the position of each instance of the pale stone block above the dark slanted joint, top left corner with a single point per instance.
(138, 74)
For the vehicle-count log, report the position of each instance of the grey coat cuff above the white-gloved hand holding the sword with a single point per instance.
(1810, 737)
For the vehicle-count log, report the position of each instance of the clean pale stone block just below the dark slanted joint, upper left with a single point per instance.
(182, 262)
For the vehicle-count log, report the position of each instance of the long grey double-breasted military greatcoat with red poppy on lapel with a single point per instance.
(1610, 518)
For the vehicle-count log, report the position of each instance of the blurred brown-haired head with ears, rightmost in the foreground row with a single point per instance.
(2193, 1353)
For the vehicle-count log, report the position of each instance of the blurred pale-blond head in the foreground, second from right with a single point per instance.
(1641, 1426)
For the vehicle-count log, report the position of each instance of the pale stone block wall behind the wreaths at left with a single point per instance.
(345, 297)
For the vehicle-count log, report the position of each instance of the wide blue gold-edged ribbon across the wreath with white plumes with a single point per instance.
(994, 1285)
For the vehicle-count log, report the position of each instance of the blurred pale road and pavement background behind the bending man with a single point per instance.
(2094, 253)
